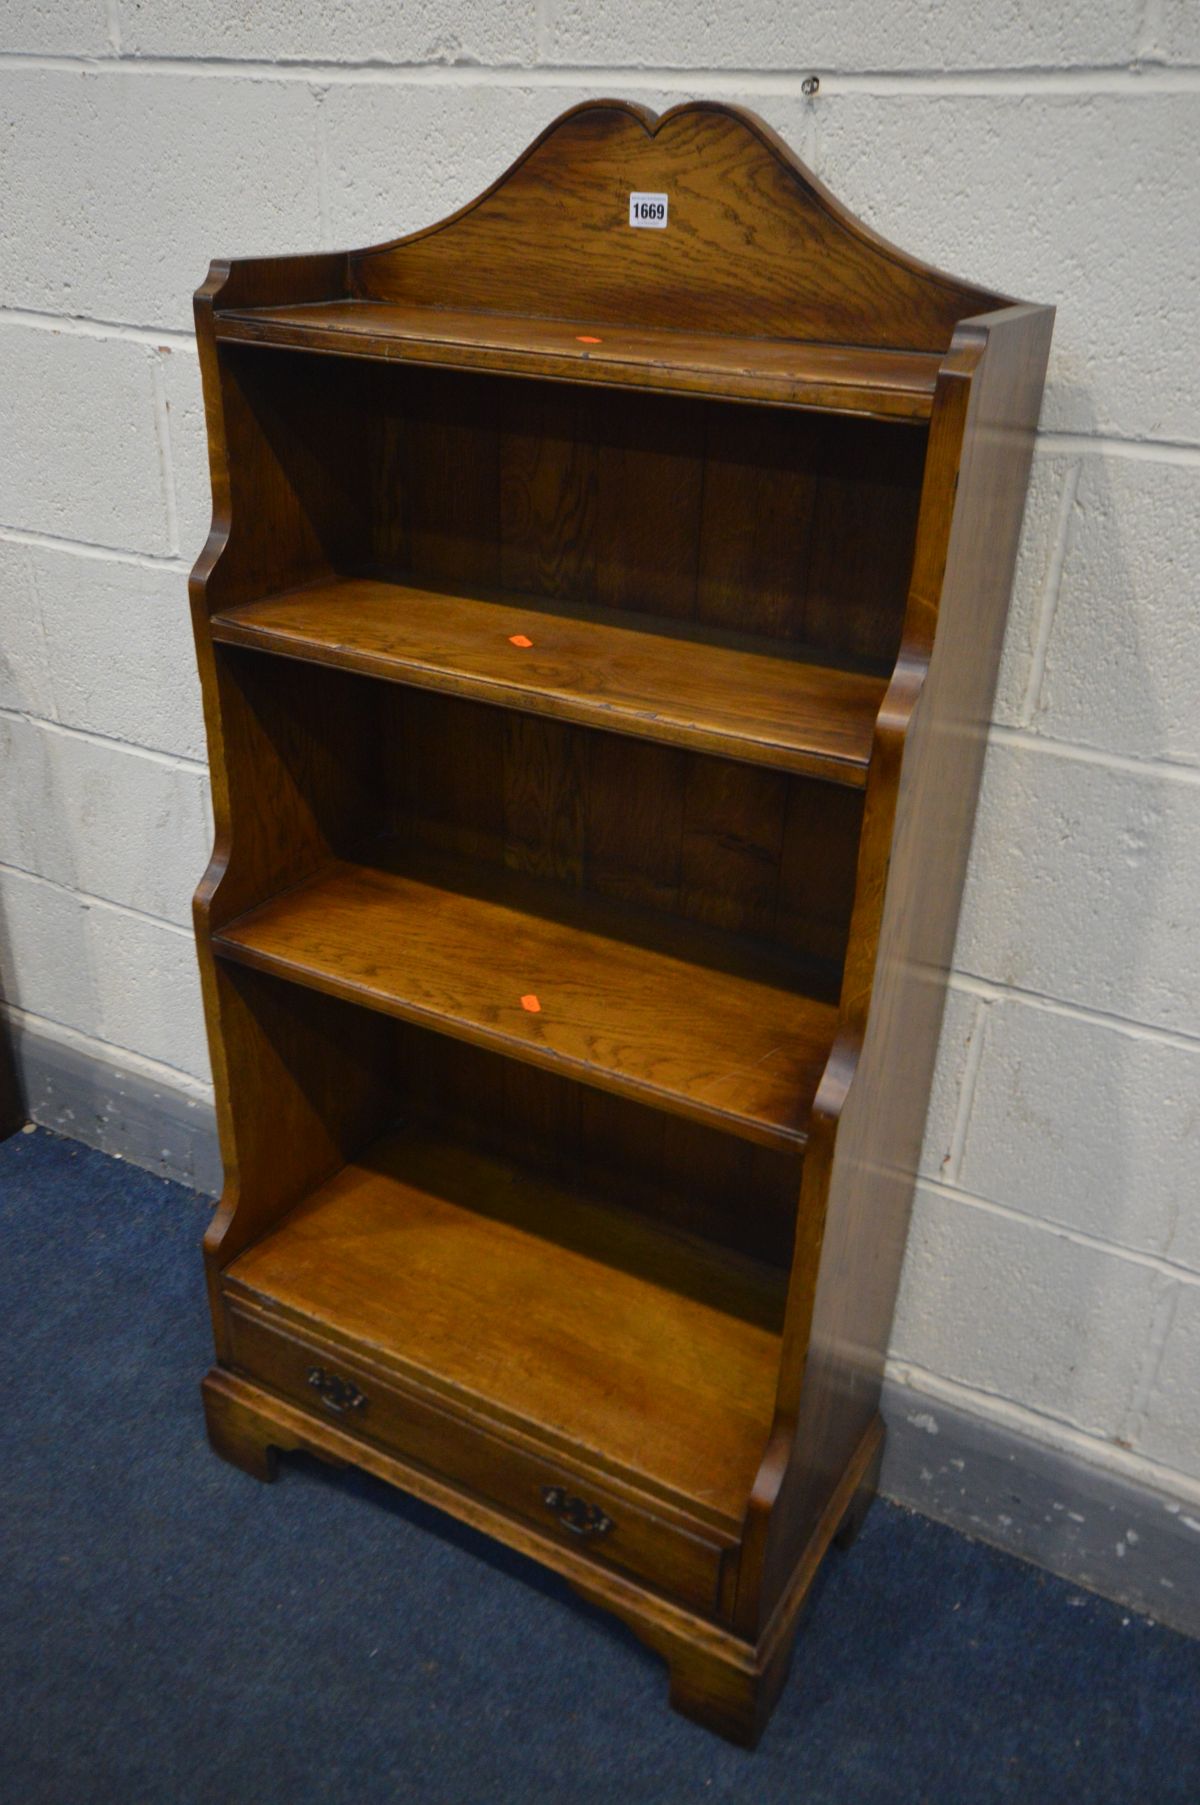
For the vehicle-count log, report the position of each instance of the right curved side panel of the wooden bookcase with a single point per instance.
(869, 1120)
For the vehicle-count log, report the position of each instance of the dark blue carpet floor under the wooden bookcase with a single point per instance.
(178, 1633)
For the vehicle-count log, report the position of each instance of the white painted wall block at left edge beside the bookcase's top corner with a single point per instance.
(151, 180)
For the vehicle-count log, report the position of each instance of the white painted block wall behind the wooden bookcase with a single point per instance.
(1049, 151)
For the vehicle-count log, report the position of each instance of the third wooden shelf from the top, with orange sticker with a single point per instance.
(652, 1008)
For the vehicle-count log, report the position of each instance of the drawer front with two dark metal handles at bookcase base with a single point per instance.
(596, 1523)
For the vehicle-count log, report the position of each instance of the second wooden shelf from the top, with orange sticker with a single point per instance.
(710, 692)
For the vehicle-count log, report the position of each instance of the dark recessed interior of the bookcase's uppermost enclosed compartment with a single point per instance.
(690, 510)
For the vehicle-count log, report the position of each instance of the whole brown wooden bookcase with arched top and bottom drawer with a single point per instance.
(598, 633)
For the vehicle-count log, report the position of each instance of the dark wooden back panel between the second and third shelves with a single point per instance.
(649, 824)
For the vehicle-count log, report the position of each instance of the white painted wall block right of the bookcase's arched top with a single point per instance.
(1080, 199)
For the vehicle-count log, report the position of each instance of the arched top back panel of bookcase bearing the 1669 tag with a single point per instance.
(753, 245)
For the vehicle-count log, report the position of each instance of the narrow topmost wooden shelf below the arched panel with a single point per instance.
(786, 373)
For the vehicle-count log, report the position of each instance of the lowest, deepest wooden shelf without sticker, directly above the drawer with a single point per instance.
(501, 1291)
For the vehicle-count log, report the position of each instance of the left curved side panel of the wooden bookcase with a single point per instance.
(309, 1078)
